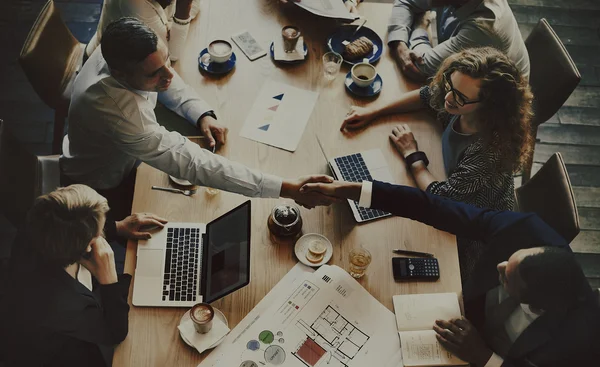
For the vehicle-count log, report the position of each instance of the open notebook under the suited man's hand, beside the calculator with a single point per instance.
(415, 316)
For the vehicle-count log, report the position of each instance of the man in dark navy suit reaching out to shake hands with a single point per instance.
(539, 308)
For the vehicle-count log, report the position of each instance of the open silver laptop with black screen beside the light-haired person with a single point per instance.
(187, 263)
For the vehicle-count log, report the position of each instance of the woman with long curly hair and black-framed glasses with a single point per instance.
(484, 103)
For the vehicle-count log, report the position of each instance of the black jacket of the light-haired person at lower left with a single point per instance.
(48, 318)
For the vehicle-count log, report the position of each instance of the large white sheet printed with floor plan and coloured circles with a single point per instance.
(323, 319)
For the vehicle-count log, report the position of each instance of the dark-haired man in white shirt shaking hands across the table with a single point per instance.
(112, 126)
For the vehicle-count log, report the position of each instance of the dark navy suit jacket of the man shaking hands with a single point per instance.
(570, 338)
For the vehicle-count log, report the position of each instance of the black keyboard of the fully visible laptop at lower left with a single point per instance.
(182, 263)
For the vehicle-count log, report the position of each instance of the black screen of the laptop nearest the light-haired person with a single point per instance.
(227, 264)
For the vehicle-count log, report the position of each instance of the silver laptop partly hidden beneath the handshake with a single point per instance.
(368, 165)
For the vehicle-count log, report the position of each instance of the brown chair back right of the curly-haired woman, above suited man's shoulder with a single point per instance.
(549, 195)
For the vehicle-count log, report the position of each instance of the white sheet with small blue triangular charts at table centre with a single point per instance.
(279, 115)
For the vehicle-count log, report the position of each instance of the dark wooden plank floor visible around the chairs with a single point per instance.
(574, 131)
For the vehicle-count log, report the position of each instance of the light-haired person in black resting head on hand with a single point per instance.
(65, 304)
